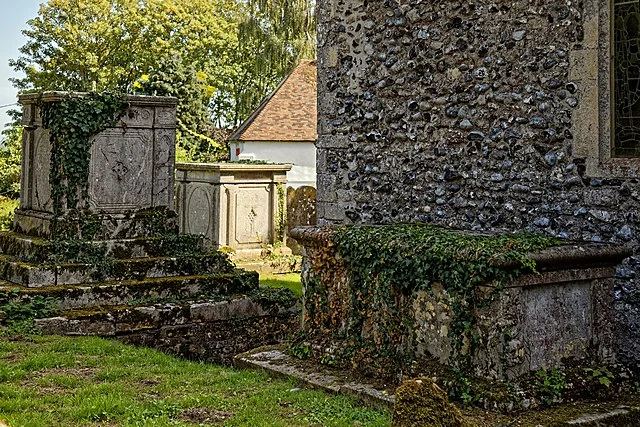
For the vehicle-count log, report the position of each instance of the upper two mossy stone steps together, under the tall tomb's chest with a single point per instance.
(37, 262)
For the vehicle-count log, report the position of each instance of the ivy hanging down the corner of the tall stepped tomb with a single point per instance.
(71, 122)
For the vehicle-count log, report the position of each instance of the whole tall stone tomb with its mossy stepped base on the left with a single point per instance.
(106, 258)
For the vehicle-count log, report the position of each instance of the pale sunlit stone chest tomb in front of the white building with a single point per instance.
(234, 205)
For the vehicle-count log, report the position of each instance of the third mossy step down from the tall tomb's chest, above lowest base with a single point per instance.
(125, 292)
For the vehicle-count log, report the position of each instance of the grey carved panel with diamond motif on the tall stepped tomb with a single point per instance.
(120, 170)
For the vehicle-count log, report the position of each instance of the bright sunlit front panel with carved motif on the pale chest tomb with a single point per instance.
(253, 215)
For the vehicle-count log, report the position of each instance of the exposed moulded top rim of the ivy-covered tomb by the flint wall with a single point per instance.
(571, 255)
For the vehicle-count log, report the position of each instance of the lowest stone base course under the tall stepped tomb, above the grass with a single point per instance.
(212, 330)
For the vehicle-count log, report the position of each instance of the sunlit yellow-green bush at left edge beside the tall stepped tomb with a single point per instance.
(10, 158)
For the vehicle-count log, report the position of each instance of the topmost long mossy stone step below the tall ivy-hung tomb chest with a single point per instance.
(39, 250)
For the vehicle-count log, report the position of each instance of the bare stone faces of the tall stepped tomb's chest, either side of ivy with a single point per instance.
(131, 166)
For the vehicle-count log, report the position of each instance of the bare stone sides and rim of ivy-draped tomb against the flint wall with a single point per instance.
(538, 321)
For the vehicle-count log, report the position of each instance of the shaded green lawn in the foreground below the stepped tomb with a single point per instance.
(61, 381)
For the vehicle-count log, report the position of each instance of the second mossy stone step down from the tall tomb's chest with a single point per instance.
(33, 275)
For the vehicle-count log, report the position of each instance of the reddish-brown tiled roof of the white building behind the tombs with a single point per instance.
(289, 113)
